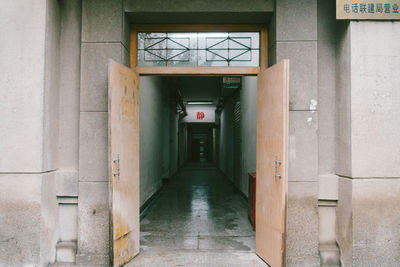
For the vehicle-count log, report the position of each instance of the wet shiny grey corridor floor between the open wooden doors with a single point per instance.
(198, 220)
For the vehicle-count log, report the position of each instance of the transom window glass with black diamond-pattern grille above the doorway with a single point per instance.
(223, 49)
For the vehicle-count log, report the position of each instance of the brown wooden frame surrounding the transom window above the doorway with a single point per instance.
(200, 71)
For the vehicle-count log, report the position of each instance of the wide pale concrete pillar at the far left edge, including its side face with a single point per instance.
(31, 76)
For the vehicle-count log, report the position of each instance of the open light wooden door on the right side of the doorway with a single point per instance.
(272, 163)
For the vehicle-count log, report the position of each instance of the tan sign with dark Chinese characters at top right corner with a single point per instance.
(368, 10)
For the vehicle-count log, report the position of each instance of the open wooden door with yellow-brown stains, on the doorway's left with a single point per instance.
(123, 139)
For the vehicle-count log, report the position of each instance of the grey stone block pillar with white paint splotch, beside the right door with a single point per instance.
(293, 35)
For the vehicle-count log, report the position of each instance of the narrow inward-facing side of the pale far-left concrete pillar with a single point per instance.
(49, 205)
